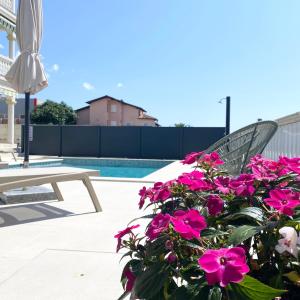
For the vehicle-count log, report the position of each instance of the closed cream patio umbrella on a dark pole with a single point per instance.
(27, 74)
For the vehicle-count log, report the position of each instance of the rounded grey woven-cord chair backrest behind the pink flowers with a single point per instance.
(237, 148)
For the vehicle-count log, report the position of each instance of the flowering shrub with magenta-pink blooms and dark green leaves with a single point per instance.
(214, 236)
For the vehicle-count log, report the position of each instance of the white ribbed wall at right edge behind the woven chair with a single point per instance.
(286, 141)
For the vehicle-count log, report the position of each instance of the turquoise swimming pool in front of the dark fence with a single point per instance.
(130, 168)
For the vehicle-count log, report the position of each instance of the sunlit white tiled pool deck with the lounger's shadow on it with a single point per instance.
(64, 250)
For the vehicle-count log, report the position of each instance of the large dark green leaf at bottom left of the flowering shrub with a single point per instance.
(150, 282)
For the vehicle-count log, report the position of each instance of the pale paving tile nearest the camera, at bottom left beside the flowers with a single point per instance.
(57, 274)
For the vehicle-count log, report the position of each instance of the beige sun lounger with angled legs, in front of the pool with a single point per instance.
(19, 178)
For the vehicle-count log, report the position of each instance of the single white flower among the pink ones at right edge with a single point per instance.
(289, 241)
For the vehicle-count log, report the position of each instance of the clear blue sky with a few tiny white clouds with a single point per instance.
(176, 58)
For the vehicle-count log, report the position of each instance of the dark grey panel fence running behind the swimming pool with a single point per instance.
(123, 142)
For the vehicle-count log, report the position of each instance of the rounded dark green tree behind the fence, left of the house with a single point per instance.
(51, 112)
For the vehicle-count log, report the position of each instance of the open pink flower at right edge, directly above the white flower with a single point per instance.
(283, 200)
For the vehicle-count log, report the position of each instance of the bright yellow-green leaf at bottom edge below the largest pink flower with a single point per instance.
(252, 289)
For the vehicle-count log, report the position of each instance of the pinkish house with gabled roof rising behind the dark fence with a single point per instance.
(109, 111)
